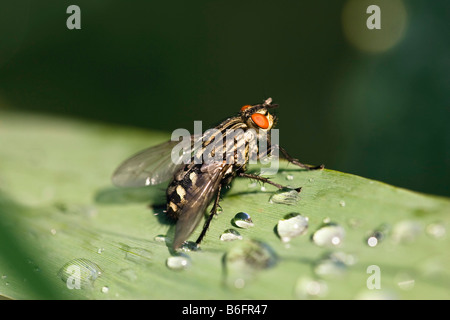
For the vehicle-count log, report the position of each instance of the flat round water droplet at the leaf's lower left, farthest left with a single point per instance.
(79, 273)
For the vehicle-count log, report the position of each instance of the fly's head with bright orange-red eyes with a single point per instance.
(258, 117)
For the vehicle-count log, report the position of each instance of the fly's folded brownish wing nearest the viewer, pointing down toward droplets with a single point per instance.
(197, 199)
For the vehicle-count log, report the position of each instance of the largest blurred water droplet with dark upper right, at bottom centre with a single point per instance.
(245, 259)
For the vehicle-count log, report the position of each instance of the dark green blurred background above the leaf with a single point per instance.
(375, 103)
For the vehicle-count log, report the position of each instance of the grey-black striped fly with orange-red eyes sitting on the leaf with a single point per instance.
(195, 184)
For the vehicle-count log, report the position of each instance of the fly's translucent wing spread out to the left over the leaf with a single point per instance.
(150, 166)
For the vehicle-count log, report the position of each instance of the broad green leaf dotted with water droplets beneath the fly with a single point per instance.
(60, 217)
